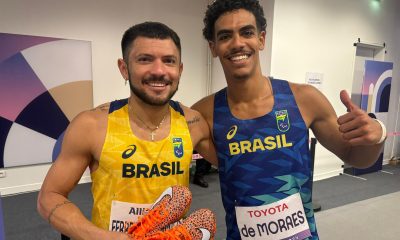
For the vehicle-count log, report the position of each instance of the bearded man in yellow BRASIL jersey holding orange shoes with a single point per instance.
(135, 147)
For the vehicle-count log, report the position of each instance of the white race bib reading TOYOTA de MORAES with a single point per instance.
(284, 219)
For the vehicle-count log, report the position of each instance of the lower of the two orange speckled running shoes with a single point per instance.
(200, 225)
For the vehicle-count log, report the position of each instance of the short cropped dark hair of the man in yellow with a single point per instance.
(155, 30)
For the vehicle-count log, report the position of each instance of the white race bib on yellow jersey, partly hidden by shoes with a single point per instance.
(124, 214)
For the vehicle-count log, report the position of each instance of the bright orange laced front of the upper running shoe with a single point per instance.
(149, 221)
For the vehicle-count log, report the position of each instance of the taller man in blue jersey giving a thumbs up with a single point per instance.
(260, 129)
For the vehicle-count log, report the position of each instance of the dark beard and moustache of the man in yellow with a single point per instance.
(149, 99)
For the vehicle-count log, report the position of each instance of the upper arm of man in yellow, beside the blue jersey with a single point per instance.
(201, 135)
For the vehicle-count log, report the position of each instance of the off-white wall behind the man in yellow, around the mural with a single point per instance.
(103, 22)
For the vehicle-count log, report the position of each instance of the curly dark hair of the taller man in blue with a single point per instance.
(219, 7)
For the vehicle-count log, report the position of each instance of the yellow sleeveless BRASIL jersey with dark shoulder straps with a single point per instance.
(132, 173)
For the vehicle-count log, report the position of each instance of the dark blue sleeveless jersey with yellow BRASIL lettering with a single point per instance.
(257, 165)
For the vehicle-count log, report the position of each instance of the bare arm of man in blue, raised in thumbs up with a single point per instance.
(352, 137)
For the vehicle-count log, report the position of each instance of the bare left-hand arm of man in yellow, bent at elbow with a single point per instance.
(75, 156)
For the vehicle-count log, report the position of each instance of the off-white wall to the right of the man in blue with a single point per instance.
(318, 36)
